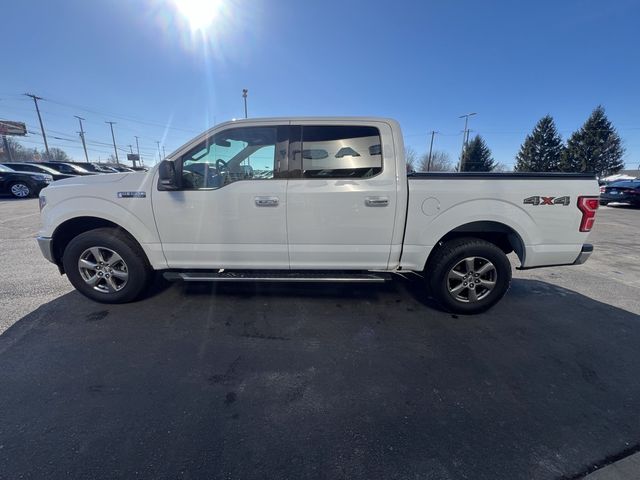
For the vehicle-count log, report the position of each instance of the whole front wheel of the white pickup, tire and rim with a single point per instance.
(105, 240)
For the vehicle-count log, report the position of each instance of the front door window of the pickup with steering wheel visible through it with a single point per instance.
(246, 153)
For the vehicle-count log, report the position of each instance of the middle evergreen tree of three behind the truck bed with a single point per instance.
(542, 150)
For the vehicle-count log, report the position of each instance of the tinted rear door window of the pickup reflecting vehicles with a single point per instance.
(340, 152)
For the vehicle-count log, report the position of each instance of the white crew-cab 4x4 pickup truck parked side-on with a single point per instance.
(312, 199)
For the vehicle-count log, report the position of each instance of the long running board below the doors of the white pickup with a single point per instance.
(276, 276)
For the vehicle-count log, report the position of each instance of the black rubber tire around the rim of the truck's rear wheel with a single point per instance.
(486, 250)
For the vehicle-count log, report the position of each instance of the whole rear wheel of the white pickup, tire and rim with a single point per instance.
(452, 256)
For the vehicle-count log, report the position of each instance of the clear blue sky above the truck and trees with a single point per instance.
(424, 63)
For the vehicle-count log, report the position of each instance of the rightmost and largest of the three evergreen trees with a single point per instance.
(595, 147)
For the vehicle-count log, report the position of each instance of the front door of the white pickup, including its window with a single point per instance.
(231, 209)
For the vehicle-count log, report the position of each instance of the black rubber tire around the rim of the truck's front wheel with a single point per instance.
(136, 265)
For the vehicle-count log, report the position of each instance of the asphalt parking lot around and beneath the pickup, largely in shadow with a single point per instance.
(285, 381)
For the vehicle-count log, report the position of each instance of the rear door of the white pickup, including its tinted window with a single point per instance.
(341, 196)
